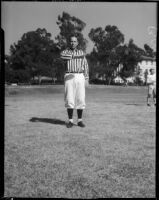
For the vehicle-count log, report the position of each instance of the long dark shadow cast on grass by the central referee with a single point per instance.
(47, 120)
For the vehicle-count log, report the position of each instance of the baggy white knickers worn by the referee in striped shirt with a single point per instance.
(74, 90)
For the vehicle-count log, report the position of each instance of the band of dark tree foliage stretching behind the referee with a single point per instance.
(36, 54)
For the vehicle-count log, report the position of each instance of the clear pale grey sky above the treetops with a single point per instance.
(136, 20)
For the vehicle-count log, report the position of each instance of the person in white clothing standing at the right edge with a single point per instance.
(151, 82)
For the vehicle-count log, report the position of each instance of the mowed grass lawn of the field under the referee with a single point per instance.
(112, 157)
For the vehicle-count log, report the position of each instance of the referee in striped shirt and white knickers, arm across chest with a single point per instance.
(75, 78)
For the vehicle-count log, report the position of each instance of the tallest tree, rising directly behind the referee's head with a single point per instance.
(69, 25)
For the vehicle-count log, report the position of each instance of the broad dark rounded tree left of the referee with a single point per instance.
(34, 53)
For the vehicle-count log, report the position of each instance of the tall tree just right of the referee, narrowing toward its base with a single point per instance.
(106, 43)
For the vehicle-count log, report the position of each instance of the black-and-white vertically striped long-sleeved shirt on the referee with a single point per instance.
(75, 61)
